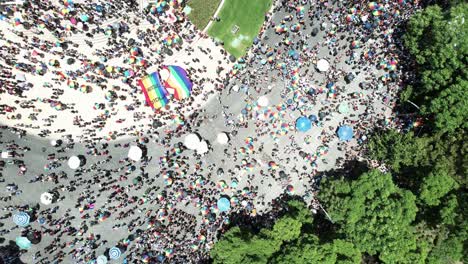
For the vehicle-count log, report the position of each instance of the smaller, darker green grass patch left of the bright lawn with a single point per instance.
(202, 11)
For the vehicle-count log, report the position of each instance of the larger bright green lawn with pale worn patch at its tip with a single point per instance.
(248, 15)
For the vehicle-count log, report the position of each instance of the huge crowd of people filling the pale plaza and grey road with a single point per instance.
(163, 208)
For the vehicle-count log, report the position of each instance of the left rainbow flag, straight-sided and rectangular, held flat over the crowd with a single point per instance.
(155, 93)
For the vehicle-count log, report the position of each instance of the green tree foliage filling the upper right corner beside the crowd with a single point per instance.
(438, 40)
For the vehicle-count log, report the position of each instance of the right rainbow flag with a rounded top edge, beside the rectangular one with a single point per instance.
(178, 81)
